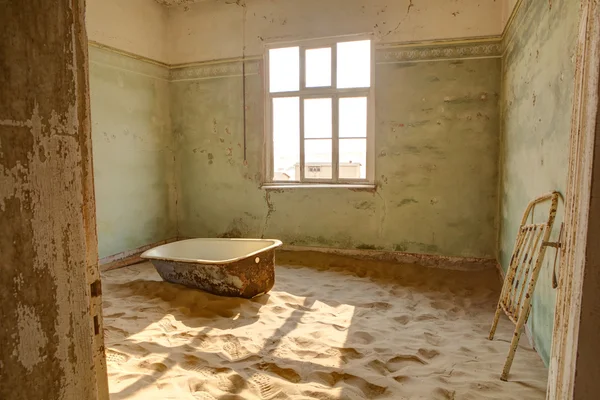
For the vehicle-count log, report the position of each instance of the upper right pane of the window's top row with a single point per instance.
(354, 64)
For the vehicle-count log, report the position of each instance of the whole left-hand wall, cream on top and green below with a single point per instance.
(131, 131)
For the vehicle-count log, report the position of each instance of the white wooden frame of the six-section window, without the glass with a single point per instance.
(321, 92)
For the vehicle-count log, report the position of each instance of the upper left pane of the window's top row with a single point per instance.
(284, 69)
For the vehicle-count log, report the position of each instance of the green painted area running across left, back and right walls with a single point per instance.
(169, 151)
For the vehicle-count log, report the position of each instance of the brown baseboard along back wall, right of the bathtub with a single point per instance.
(426, 260)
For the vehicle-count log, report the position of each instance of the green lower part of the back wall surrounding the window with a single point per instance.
(437, 138)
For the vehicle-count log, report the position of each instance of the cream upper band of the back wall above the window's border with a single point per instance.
(220, 29)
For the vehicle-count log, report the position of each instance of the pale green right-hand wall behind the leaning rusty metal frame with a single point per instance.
(537, 89)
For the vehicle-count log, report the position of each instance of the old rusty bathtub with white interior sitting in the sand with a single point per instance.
(226, 267)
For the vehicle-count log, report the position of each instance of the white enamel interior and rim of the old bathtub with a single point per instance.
(210, 250)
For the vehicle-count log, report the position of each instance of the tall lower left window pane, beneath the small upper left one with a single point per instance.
(286, 138)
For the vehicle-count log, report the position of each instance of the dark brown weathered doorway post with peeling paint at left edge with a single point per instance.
(48, 249)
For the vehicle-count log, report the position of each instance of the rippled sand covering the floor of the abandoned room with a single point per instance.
(328, 331)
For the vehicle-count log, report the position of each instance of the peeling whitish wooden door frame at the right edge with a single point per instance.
(571, 365)
